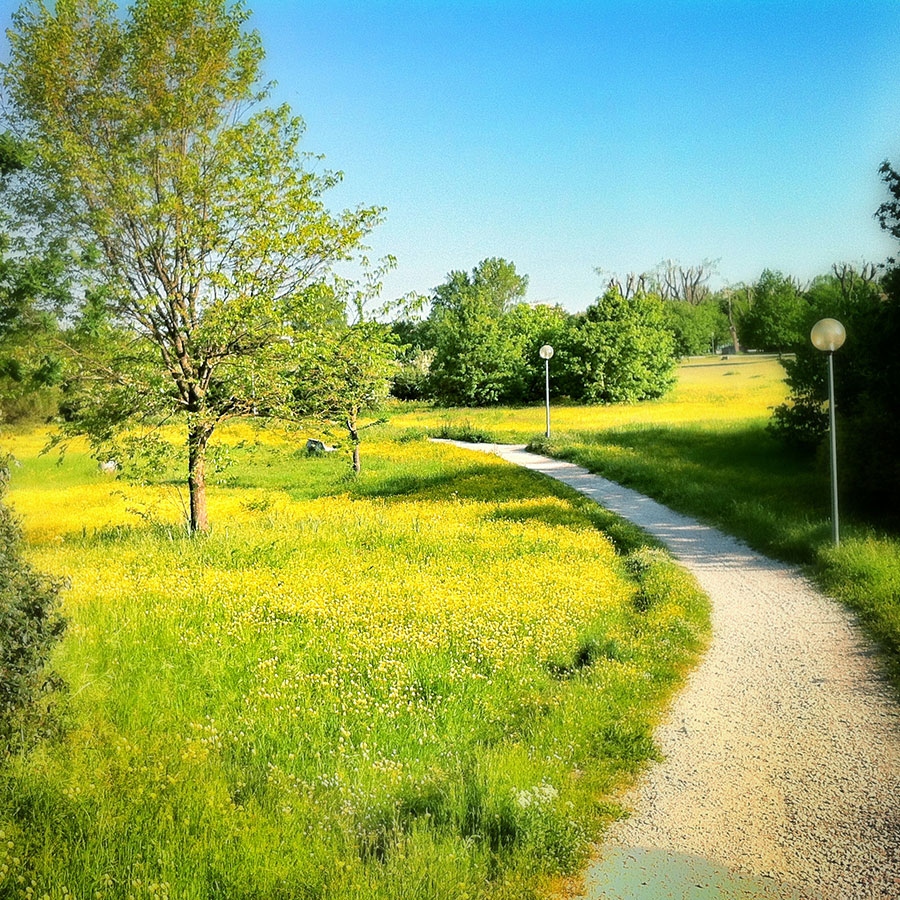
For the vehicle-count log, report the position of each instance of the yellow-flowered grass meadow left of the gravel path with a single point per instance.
(429, 682)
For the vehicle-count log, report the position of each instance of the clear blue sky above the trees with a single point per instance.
(569, 135)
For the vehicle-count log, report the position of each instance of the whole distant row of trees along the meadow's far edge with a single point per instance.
(479, 343)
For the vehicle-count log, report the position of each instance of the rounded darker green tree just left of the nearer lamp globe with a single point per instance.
(774, 319)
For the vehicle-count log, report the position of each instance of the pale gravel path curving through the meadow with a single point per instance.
(782, 754)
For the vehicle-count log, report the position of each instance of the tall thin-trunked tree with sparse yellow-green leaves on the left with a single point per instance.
(215, 247)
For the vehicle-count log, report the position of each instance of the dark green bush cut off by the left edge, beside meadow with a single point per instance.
(29, 627)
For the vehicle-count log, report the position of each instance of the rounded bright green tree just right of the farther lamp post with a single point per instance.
(619, 351)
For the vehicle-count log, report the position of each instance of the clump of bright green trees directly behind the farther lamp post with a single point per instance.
(486, 352)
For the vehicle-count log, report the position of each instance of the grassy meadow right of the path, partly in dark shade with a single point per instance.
(704, 450)
